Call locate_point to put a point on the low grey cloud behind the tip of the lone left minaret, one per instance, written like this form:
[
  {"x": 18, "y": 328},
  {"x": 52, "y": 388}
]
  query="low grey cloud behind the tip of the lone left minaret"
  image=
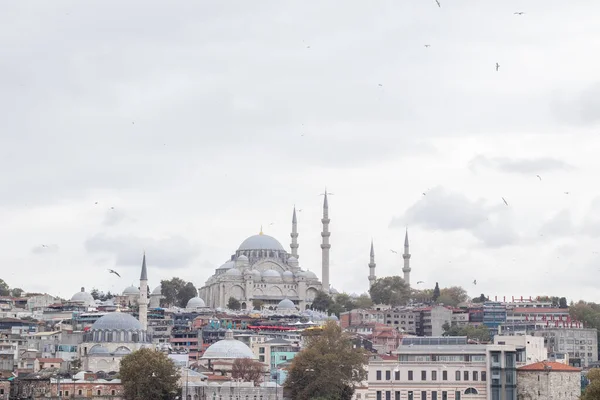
[{"x": 171, "y": 252}]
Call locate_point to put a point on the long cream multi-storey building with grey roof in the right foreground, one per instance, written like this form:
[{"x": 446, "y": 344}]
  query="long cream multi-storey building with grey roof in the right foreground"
[{"x": 444, "y": 368}]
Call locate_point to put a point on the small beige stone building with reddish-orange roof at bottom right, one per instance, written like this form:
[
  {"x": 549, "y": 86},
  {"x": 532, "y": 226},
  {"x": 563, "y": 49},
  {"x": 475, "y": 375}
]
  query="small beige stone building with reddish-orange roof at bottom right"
[{"x": 548, "y": 381}]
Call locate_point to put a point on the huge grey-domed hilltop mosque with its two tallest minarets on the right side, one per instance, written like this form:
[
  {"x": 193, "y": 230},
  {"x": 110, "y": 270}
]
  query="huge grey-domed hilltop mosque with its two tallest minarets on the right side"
[{"x": 261, "y": 269}]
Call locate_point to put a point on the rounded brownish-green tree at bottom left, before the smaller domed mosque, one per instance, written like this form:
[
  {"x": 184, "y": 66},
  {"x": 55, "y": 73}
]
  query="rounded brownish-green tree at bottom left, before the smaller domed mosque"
[{"x": 148, "y": 374}]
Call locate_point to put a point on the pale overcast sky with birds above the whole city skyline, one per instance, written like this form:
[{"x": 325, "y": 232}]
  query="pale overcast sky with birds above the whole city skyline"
[{"x": 180, "y": 128}]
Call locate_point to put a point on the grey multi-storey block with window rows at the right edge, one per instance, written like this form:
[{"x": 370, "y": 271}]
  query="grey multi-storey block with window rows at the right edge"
[{"x": 581, "y": 344}]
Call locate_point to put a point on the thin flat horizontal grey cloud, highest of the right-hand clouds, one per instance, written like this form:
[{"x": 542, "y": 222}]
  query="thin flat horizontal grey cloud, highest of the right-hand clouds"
[{"x": 530, "y": 166}]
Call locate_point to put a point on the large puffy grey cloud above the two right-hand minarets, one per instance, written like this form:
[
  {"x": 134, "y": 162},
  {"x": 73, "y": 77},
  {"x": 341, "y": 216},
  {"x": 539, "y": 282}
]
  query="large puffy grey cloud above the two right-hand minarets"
[{"x": 448, "y": 211}]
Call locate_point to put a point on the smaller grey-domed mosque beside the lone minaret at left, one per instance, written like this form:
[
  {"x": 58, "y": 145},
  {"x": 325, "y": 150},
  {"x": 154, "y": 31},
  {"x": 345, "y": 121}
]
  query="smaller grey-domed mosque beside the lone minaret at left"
[{"x": 110, "y": 338}]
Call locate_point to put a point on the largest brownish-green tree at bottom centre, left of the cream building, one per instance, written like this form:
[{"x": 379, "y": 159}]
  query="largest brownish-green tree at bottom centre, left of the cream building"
[{"x": 328, "y": 367}]
